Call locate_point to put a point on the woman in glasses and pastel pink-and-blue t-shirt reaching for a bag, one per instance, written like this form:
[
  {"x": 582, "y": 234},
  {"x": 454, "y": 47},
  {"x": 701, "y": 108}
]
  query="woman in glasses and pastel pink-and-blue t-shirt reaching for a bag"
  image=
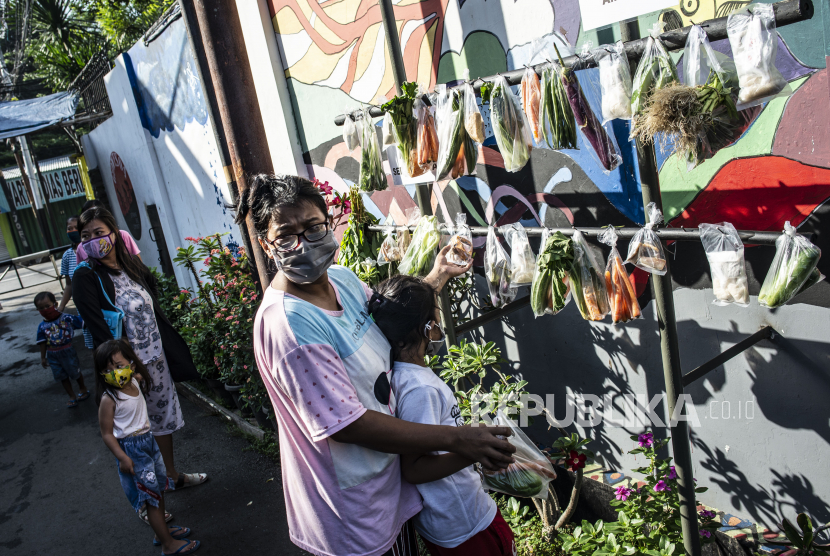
[{"x": 326, "y": 367}]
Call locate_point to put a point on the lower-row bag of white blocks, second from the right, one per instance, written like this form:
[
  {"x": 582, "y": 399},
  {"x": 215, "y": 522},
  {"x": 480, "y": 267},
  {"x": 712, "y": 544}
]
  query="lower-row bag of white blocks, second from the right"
[{"x": 725, "y": 252}]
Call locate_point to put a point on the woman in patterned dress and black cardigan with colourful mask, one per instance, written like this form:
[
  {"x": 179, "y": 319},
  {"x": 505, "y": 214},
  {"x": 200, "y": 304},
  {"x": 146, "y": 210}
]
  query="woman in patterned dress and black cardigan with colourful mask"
[{"x": 114, "y": 276}]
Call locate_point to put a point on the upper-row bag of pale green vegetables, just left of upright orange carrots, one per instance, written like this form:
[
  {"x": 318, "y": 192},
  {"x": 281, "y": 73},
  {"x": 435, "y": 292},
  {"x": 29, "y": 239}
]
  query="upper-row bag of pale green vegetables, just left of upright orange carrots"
[{"x": 510, "y": 126}]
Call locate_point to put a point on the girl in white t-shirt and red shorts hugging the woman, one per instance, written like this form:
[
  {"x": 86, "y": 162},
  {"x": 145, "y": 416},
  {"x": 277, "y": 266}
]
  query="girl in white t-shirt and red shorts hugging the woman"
[{"x": 459, "y": 518}]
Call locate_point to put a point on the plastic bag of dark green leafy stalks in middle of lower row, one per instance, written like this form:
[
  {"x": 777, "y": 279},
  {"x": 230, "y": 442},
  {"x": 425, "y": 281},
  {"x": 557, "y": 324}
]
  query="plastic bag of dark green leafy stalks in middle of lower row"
[{"x": 551, "y": 290}]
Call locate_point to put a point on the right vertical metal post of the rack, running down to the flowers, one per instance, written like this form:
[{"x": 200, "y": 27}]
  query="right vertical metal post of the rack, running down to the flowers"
[{"x": 672, "y": 373}]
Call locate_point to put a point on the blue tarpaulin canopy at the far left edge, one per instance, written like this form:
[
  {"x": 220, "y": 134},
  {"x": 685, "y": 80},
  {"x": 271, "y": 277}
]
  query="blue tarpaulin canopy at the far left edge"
[{"x": 20, "y": 117}]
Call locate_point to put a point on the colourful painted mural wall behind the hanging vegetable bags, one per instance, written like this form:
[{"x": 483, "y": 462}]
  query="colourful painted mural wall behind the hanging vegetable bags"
[{"x": 334, "y": 59}]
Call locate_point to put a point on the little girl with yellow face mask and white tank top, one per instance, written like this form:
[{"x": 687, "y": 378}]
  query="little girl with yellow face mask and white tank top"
[{"x": 120, "y": 379}]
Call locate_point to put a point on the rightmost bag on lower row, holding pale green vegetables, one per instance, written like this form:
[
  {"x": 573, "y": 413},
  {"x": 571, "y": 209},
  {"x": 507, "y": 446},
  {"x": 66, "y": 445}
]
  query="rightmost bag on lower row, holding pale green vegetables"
[{"x": 794, "y": 263}]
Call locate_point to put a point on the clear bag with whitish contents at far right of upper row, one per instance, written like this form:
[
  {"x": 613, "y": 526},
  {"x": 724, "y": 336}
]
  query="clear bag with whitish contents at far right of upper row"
[{"x": 754, "y": 44}]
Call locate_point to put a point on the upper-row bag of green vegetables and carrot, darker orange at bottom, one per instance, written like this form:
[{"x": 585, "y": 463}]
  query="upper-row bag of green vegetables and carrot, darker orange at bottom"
[{"x": 457, "y": 152}]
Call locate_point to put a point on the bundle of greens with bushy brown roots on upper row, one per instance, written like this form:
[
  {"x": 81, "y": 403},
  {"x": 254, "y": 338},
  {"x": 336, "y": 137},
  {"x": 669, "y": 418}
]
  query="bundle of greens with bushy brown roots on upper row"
[{"x": 698, "y": 121}]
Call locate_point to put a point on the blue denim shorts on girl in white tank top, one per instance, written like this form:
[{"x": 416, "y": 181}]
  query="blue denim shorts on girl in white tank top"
[{"x": 150, "y": 478}]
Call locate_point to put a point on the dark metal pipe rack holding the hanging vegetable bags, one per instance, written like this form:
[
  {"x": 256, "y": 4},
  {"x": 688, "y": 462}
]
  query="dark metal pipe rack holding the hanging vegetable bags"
[{"x": 786, "y": 13}]
